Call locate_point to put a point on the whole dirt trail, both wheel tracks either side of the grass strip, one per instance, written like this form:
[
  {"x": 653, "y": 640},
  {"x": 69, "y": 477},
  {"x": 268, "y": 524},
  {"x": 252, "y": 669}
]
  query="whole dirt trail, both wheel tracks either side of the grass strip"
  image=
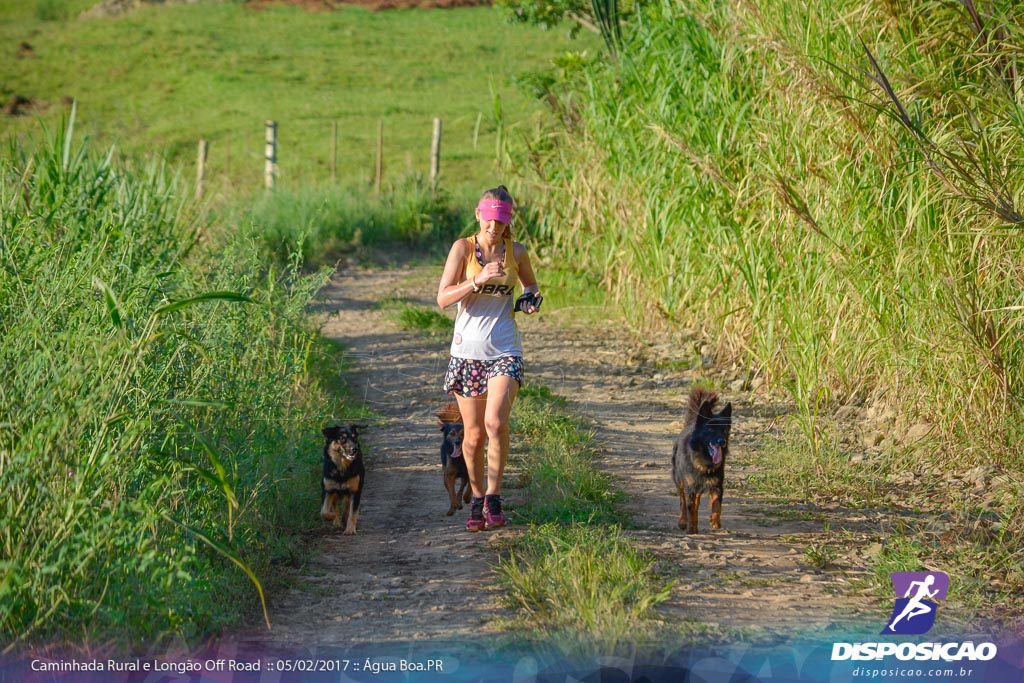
[{"x": 414, "y": 574}]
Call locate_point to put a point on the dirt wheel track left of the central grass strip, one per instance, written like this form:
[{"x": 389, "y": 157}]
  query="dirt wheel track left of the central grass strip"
[{"x": 411, "y": 573}]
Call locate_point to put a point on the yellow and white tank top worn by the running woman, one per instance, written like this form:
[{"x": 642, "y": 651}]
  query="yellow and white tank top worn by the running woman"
[{"x": 485, "y": 324}]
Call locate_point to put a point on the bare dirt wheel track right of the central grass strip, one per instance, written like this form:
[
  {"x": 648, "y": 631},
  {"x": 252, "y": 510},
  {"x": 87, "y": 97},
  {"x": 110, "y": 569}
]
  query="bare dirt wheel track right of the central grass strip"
[{"x": 752, "y": 578}]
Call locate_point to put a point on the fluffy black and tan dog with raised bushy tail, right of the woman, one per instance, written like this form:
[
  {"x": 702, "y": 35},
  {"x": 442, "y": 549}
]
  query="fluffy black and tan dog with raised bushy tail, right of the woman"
[{"x": 699, "y": 458}]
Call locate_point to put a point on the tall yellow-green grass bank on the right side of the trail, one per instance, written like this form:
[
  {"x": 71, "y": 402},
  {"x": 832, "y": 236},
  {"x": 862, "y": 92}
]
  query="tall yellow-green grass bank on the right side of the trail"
[{"x": 830, "y": 194}]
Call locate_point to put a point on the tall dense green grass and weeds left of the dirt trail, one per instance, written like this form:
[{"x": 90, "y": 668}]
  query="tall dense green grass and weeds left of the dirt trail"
[{"x": 156, "y": 411}]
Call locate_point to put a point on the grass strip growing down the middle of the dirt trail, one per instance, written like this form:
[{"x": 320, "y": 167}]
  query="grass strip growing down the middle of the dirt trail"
[{"x": 576, "y": 581}]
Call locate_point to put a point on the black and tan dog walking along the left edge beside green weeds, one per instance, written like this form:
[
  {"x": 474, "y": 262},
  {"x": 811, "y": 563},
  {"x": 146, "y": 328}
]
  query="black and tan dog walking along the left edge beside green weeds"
[{"x": 345, "y": 477}]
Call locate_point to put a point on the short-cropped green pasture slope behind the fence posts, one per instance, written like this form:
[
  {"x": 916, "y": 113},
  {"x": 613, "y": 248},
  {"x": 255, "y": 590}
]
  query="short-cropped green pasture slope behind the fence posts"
[{"x": 159, "y": 79}]
